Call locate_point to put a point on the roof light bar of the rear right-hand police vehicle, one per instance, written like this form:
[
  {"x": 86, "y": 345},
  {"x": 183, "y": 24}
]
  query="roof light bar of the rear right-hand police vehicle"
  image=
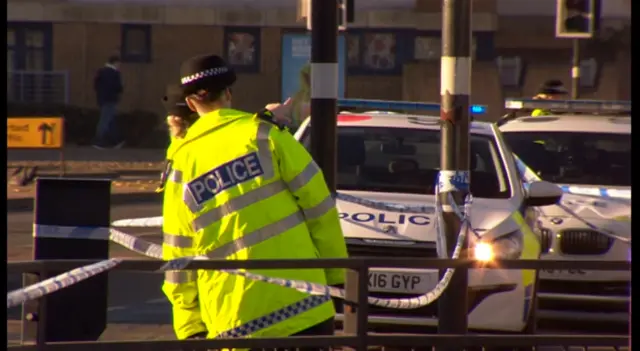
[{"x": 601, "y": 106}]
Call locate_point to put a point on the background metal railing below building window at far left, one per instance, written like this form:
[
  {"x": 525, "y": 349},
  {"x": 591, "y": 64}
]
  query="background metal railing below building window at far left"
[{"x": 38, "y": 86}]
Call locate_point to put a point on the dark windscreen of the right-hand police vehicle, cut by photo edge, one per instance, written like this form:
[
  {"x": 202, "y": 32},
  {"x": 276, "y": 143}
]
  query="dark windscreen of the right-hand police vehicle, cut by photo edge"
[{"x": 575, "y": 158}]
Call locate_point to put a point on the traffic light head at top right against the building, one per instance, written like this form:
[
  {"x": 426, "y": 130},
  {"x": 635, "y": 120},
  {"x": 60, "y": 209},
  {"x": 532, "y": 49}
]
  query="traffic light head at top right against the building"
[{"x": 577, "y": 19}]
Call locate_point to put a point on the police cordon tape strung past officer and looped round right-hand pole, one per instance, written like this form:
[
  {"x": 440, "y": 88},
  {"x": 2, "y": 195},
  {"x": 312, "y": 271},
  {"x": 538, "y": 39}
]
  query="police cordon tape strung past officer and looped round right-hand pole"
[{"x": 449, "y": 181}]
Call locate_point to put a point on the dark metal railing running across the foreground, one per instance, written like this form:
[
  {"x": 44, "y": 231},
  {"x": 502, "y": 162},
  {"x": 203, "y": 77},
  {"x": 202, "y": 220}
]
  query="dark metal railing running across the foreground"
[{"x": 355, "y": 321}]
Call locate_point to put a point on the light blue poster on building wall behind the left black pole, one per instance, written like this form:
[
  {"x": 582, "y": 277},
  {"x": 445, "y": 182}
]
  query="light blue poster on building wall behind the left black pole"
[{"x": 296, "y": 71}]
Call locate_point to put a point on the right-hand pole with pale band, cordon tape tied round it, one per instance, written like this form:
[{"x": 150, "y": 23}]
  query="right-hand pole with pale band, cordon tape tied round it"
[{"x": 455, "y": 88}]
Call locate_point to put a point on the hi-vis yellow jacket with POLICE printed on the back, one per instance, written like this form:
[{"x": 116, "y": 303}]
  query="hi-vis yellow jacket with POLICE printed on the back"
[{"x": 240, "y": 188}]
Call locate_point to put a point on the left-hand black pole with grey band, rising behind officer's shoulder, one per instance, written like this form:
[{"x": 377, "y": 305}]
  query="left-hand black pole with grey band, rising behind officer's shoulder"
[{"x": 324, "y": 86}]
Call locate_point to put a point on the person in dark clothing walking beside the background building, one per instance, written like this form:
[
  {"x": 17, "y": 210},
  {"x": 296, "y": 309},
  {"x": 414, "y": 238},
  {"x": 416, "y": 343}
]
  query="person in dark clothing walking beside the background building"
[{"x": 108, "y": 87}]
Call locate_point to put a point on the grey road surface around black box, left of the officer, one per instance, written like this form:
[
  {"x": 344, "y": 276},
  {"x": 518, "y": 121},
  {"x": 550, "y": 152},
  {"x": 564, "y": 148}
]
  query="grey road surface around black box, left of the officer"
[{"x": 139, "y": 313}]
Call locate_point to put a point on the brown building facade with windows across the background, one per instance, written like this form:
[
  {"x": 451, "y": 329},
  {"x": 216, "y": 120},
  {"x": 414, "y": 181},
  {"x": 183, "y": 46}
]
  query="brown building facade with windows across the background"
[{"x": 392, "y": 51}]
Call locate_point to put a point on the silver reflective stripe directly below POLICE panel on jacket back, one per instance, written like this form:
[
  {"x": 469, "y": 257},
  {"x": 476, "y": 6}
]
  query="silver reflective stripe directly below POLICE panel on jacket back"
[{"x": 237, "y": 204}]
